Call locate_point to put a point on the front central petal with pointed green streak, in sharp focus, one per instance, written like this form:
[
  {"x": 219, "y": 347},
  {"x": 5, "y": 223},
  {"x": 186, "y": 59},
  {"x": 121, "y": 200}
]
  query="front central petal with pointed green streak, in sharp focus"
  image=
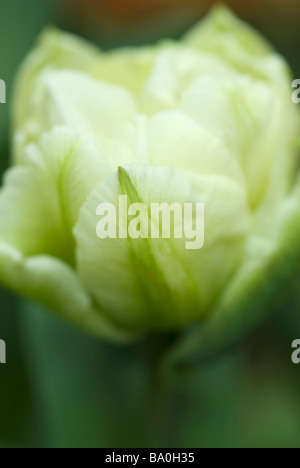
[{"x": 157, "y": 283}]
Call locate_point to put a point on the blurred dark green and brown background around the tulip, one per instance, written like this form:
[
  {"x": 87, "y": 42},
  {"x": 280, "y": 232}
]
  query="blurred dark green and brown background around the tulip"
[{"x": 61, "y": 388}]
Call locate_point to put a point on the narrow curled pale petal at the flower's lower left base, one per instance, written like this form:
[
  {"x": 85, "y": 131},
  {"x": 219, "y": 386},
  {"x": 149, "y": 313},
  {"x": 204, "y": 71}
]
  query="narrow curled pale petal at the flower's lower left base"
[{"x": 55, "y": 285}]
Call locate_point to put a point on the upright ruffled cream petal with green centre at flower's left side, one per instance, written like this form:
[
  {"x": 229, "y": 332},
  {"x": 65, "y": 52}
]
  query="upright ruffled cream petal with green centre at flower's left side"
[{"x": 41, "y": 199}]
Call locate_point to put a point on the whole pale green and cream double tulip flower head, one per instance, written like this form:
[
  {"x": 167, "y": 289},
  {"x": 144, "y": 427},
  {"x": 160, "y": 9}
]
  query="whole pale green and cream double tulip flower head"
[{"x": 205, "y": 120}]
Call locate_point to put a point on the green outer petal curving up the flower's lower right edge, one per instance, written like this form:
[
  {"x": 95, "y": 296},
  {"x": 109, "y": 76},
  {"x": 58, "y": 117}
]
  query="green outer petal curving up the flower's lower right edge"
[{"x": 260, "y": 285}]
